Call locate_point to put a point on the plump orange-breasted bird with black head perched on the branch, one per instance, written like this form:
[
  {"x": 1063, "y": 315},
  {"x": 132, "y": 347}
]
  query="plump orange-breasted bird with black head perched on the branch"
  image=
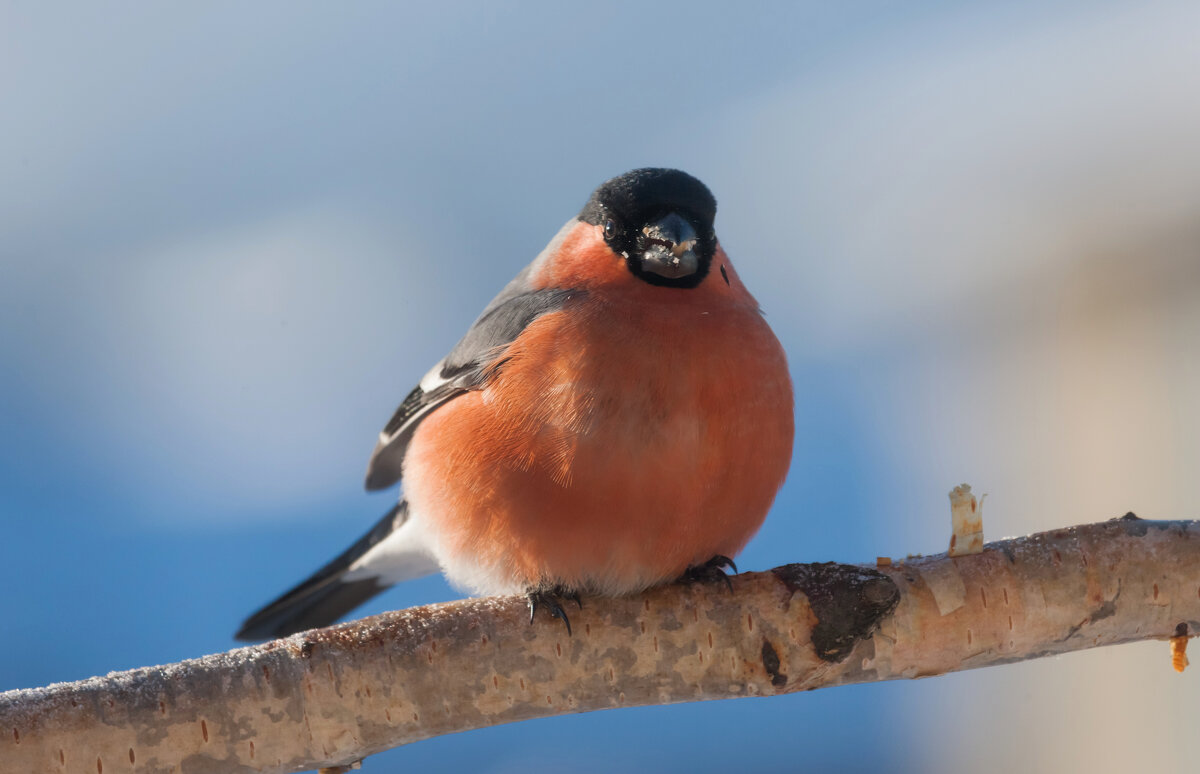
[{"x": 620, "y": 417}]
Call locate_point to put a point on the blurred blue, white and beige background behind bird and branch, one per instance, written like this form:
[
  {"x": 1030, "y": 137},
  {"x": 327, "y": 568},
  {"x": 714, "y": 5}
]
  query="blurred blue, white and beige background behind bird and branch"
[{"x": 233, "y": 236}]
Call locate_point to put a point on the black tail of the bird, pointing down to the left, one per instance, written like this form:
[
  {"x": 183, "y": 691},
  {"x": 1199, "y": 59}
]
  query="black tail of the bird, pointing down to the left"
[{"x": 323, "y": 598}]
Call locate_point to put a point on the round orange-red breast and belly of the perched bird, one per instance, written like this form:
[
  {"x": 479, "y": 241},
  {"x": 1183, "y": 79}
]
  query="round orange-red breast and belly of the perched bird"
[{"x": 619, "y": 443}]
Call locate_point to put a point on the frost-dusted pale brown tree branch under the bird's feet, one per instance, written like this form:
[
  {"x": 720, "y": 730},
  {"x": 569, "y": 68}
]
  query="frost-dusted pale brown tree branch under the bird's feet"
[{"x": 332, "y": 697}]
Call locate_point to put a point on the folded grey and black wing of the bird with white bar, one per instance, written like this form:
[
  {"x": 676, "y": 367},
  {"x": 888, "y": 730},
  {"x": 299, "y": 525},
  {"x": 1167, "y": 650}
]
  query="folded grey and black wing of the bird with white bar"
[{"x": 463, "y": 370}]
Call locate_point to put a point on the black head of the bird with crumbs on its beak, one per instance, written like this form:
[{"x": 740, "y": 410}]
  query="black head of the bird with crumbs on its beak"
[{"x": 661, "y": 221}]
